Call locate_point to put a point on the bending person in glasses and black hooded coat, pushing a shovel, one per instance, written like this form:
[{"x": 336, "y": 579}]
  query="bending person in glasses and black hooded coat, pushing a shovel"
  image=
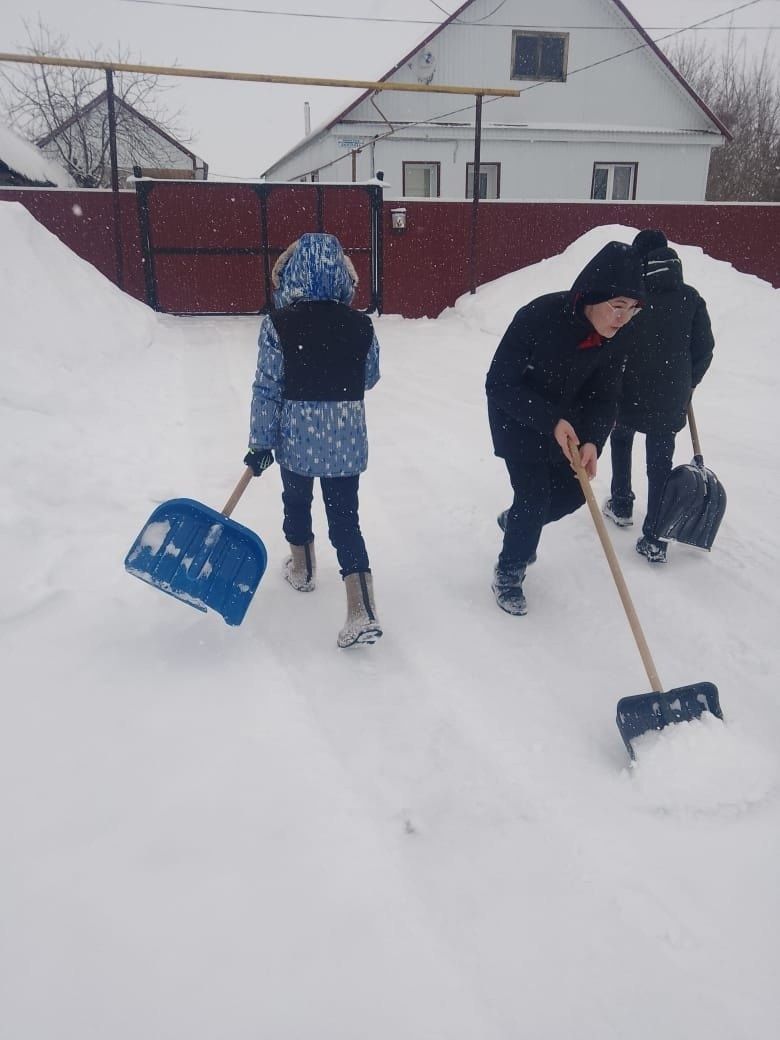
[{"x": 556, "y": 379}]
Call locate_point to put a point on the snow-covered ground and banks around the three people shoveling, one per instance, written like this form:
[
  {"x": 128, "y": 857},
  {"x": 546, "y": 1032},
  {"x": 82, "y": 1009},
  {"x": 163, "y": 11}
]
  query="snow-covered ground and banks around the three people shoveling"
[{"x": 246, "y": 834}]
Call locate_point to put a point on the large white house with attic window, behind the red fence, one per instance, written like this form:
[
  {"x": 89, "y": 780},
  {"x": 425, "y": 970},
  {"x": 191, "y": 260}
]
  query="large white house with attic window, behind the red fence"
[{"x": 603, "y": 113}]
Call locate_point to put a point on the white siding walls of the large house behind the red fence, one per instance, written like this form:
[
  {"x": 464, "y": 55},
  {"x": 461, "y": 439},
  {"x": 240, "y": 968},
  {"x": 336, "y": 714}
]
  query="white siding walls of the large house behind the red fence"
[{"x": 631, "y": 94}]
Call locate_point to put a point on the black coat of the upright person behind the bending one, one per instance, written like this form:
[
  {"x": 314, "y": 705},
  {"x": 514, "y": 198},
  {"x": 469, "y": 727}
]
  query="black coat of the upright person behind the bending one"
[{"x": 670, "y": 349}]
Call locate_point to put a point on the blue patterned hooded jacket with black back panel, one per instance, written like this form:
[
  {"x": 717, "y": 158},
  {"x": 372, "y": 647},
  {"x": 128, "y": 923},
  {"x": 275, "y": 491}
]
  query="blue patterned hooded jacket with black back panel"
[{"x": 313, "y": 438}]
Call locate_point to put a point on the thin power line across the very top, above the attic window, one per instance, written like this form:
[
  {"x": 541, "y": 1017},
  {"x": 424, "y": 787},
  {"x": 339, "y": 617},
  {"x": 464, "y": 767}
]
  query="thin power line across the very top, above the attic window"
[{"x": 458, "y": 22}]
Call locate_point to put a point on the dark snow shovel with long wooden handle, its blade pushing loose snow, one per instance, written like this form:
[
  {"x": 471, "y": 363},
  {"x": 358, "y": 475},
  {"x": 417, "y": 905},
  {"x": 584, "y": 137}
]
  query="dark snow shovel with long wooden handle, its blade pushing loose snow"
[{"x": 645, "y": 713}]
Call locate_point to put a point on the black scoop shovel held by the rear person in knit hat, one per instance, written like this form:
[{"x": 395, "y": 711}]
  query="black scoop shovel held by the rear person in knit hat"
[{"x": 694, "y": 501}]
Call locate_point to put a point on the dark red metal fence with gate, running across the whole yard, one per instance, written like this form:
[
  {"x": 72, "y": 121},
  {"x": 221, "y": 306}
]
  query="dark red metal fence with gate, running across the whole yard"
[{"x": 213, "y": 245}]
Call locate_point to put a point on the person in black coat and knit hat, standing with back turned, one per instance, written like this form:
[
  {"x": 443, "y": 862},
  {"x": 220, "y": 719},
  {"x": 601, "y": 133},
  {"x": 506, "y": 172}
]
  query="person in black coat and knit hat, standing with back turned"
[{"x": 670, "y": 351}]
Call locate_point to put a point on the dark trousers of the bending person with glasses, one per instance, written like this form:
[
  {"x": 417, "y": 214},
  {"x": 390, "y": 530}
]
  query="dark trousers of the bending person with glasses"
[{"x": 547, "y": 489}]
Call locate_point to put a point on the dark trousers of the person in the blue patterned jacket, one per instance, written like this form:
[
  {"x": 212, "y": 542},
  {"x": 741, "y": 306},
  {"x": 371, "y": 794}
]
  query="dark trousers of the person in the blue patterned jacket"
[{"x": 341, "y": 498}]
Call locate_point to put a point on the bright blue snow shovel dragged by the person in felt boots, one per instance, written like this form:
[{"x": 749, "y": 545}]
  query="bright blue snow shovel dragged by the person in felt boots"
[{"x": 200, "y": 556}]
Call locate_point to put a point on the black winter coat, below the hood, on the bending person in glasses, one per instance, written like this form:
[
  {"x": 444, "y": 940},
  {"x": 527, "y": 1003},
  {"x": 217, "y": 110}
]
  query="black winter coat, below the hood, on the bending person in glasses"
[{"x": 543, "y": 372}]
